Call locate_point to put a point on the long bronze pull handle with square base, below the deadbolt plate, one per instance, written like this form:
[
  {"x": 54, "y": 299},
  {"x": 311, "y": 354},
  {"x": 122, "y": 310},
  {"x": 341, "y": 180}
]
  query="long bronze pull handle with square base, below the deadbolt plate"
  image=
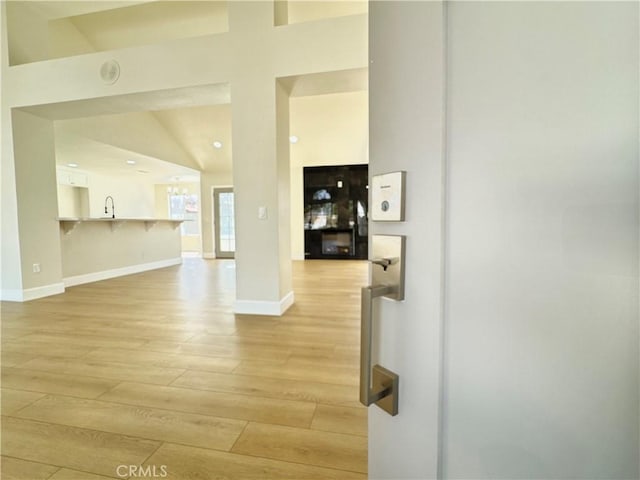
[{"x": 384, "y": 390}]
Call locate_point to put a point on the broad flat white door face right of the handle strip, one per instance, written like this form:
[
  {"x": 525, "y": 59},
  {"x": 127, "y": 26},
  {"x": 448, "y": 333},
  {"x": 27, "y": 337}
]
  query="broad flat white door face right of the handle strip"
[{"x": 542, "y": 265}]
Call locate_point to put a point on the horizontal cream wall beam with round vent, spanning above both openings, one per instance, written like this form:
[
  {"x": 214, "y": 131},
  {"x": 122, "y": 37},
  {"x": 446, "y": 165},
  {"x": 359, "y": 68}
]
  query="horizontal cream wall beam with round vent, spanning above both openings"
[{"x": 144, "y": 69}]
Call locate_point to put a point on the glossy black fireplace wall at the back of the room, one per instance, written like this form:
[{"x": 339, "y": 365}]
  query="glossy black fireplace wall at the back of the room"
[{"x": 336, "y": 212}]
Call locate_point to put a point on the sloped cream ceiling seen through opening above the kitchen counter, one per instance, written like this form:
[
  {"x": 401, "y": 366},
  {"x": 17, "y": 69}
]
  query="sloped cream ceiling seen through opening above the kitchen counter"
[{"x": 183, "y": 135}]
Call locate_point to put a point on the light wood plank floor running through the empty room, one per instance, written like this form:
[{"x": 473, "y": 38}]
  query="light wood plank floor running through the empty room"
[{"x": 155, "y": 370}]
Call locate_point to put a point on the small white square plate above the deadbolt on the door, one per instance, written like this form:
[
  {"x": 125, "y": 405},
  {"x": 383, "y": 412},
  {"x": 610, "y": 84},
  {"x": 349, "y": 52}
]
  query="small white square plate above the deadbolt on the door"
[{"x": 387, "y": 197}]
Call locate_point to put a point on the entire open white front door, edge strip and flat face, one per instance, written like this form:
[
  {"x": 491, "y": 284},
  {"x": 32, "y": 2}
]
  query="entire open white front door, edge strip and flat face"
[{"x": 517, "y": 343}]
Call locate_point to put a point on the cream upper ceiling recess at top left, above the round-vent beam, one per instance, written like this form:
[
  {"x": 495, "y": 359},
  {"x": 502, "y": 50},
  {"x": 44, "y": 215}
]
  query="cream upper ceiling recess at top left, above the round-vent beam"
[{"x": 40, "y": 32}]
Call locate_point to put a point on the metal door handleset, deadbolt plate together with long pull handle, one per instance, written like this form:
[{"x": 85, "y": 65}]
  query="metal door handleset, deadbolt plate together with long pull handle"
[{"x": 377, "y": 384}]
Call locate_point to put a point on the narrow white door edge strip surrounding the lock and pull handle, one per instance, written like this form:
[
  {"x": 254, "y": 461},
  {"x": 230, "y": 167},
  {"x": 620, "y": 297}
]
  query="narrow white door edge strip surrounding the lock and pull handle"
[{"x": 405, "y": 132}]
